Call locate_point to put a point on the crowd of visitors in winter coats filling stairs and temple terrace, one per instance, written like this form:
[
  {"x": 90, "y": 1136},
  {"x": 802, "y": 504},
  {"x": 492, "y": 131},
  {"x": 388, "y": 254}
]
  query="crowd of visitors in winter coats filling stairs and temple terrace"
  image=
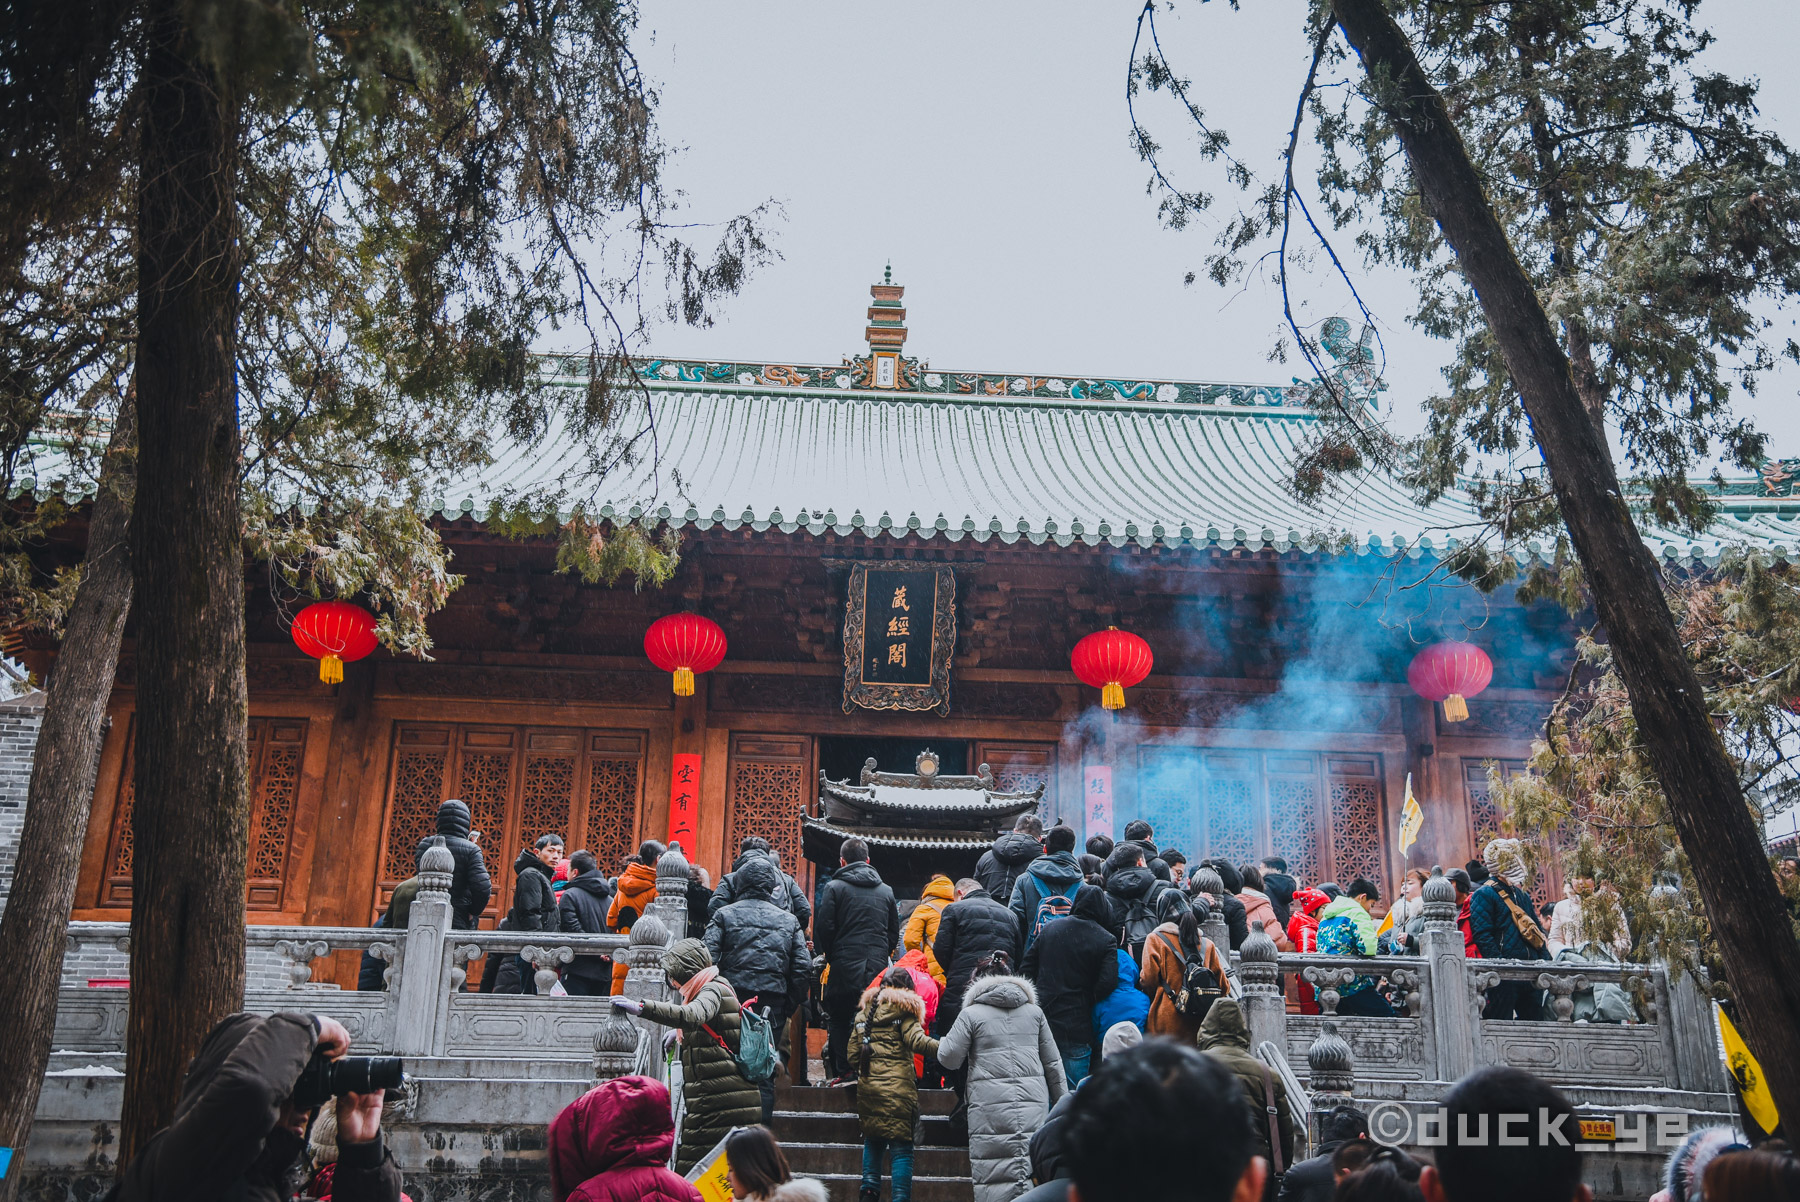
[{"x": 1072, "y": 1000}]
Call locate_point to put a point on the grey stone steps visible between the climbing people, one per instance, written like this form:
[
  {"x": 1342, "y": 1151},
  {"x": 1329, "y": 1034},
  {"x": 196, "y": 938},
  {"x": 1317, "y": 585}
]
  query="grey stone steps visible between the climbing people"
[{"x": 818, "y": 1131}]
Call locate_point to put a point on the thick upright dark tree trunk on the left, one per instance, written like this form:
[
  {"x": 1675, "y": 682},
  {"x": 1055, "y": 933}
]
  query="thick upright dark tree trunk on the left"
[{"x": 190, "y": 821}]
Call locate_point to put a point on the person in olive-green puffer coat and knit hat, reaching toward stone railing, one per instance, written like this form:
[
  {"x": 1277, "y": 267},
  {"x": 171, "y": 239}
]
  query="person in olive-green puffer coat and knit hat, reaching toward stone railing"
[{"x": 715, "y": 1093}]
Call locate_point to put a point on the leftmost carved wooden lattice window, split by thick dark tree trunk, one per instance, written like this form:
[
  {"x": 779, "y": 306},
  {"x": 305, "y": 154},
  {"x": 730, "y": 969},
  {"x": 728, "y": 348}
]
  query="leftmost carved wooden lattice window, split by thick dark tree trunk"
[{"x": 276, "y": 751}]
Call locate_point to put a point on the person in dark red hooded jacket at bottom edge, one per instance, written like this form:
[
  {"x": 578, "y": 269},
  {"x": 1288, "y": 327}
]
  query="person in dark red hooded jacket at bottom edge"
[{"x": 613, "y": 1145}]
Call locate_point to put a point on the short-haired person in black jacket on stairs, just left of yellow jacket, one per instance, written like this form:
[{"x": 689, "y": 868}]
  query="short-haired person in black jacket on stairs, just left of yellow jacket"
[{"x": 858, "y": 931}]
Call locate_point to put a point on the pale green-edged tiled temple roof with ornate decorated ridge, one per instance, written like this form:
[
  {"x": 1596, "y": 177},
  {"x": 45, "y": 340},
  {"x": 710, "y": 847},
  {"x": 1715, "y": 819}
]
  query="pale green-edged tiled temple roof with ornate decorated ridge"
[{"x": 782, "y": 447}]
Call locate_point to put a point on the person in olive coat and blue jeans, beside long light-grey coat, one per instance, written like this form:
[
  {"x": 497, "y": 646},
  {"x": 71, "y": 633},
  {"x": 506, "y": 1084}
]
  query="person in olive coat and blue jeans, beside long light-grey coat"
[{"x": 890, "y": 1032}]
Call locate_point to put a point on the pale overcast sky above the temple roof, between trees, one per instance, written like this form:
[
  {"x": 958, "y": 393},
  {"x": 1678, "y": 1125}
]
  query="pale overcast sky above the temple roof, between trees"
[{"x": 984, "y": 150}]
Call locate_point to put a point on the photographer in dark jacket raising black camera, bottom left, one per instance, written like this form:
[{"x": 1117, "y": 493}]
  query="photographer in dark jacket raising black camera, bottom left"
[{"x": 240, "y": 1126}]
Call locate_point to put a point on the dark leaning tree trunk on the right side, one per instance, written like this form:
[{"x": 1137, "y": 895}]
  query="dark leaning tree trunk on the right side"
[{"x": 1711, "y": 814}]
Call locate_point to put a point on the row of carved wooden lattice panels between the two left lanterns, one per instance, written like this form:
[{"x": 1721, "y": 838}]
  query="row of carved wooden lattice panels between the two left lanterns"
[{"x": 519, "y": 784}]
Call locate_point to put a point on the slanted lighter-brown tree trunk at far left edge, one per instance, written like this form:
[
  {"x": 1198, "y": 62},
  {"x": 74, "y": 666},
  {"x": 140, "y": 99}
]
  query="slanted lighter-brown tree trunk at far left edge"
[{"x": 60, "y": 794}]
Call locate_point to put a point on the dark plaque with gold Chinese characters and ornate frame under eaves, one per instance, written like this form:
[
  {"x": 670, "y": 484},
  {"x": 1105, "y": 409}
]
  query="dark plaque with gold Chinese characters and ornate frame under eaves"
[{"x": 899, "y": 634}]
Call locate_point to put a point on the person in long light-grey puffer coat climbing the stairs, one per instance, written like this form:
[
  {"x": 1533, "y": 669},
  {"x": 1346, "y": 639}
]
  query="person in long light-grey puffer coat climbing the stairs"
[{"x": 1014, "y": 1081}]
